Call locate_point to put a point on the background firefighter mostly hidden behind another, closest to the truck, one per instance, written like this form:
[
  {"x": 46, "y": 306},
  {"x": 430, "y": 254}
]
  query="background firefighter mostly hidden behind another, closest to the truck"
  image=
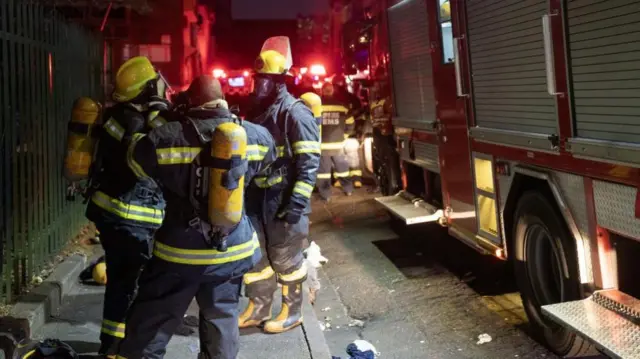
[{"x": 352, "y": 145}]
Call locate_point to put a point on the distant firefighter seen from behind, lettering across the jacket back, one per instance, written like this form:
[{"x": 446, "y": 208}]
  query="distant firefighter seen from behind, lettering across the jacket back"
[{"x": 336, "y": 127}]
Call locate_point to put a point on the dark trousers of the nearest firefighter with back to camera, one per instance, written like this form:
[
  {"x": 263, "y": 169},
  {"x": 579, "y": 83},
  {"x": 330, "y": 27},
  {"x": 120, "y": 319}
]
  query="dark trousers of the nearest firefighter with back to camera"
[{"x": 166, "y": 291}]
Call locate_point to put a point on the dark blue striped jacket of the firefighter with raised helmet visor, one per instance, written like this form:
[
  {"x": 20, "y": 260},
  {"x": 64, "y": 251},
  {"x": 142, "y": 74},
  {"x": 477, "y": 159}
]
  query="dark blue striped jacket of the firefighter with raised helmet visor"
[{"x": 297, "y": 135}]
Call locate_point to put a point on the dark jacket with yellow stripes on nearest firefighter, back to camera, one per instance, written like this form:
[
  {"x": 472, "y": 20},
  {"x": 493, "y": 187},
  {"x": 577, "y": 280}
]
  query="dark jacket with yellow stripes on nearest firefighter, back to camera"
[{"x": 171, "y": 157}]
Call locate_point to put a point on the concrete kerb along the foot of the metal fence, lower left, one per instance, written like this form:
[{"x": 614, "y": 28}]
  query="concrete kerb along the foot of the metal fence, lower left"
[{"x": 32, "y": 310}]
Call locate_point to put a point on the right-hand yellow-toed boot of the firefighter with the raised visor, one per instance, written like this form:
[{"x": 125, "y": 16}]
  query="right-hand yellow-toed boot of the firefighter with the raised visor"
[{"x": 291, "y": 313}]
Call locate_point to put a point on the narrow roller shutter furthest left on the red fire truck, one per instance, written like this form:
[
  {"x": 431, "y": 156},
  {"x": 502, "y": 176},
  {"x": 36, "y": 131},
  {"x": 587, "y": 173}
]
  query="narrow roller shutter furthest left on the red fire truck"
[{"x": 411, "y": 65}]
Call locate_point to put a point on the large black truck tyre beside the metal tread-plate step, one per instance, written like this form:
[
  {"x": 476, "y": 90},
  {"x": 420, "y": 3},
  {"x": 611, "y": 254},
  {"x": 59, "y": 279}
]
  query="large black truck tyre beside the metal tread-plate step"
[{"x": 546, "y": 270}]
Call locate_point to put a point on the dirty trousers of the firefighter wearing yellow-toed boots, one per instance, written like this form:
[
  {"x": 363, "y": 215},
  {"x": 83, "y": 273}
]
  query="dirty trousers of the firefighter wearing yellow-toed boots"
[{"x": 282, "y": 258}]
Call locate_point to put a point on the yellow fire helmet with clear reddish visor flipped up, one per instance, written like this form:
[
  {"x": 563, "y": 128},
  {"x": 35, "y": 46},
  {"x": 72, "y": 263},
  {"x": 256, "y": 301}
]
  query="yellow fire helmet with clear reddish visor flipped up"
[{"x": 275, "y": 56}]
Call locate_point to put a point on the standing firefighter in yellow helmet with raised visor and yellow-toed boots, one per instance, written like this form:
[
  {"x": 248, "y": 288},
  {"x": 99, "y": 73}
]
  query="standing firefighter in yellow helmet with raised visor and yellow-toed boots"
[{"x": 279, "y": 203}]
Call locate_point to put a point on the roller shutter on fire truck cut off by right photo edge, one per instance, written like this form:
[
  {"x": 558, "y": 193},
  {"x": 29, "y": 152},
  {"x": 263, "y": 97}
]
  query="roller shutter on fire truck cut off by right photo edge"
[{"x": 604, "y": 48}]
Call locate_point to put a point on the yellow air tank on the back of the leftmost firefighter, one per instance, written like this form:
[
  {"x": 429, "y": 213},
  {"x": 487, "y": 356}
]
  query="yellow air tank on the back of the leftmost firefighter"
[{"x": 81, "y": 140}]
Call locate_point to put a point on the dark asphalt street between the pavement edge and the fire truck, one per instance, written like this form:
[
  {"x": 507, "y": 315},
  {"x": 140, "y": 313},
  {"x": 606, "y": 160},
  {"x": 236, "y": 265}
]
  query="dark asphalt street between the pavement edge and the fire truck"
[{"x": 418, "y": 294}]
